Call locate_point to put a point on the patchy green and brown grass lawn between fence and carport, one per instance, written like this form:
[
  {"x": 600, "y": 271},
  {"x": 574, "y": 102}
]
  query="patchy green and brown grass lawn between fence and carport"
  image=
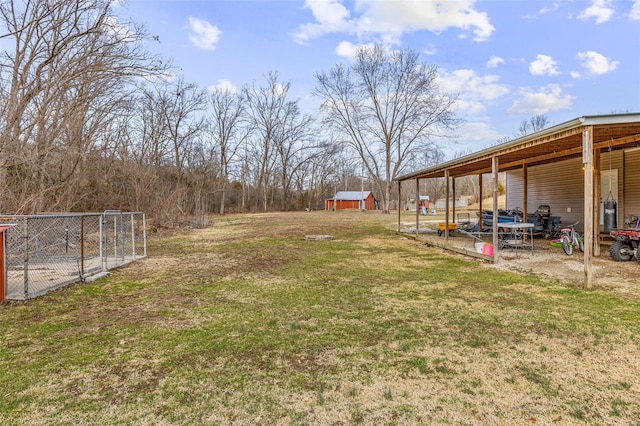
[{"x": 246, "y": 322}]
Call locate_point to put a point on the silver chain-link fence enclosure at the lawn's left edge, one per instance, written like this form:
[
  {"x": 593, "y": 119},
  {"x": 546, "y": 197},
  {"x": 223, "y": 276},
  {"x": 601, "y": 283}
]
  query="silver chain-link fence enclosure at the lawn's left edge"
[{"x": 46, "y": 252}]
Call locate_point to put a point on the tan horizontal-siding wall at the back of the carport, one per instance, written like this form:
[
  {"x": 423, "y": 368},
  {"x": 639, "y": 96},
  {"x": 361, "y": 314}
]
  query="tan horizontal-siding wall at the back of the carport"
[{"x": 561, "y": 186}]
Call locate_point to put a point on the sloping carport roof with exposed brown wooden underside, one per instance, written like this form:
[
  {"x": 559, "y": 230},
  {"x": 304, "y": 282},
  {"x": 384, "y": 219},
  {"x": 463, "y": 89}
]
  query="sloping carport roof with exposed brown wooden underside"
[{"x": 556, "y": 143}]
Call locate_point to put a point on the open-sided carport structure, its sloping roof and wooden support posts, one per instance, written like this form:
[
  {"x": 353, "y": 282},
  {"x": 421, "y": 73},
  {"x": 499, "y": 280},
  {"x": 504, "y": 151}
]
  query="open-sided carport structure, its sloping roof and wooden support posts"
[{"x": 584, "y": 139}]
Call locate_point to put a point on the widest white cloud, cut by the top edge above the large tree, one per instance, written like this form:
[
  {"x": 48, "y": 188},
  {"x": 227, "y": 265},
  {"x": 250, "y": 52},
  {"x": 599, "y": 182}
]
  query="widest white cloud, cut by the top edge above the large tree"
[{"x": 389, "y": 19}]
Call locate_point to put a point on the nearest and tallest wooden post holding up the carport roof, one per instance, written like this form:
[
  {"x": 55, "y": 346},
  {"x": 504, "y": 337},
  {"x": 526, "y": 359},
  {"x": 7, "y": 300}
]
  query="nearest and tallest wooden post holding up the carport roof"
[{"x": 587, "y": 161}]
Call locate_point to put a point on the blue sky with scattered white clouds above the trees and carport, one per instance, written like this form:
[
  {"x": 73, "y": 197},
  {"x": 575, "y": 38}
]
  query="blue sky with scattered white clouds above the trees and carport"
[{"x": 507, "y": 59}]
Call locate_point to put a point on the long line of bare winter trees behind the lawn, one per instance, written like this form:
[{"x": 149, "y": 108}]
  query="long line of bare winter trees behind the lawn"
[{"x": 90, "y": 120}]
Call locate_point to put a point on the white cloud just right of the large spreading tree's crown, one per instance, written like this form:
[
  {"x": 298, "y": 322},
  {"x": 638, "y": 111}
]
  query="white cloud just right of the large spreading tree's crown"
[{"x": 474, "y": 90}]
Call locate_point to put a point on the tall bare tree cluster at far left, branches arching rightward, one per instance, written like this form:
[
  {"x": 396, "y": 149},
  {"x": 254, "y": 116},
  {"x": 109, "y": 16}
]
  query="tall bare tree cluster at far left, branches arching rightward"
[{"x": 68, "y": 56}]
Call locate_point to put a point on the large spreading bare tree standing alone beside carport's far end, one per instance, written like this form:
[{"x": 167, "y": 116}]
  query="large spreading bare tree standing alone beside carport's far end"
[{"x": 387, "y": 105}]
